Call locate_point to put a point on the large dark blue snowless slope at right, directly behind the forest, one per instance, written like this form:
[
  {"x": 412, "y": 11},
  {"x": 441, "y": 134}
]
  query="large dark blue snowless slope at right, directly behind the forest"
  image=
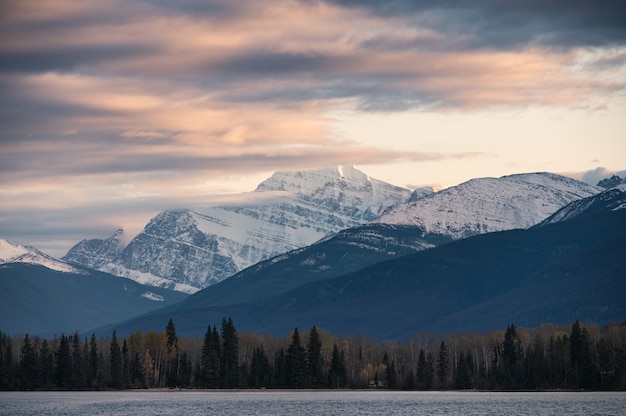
[{"x": 552, "y": 274}]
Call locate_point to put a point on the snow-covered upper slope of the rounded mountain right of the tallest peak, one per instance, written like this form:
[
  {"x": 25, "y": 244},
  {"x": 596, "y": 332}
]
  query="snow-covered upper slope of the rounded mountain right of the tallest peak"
[{"x": 488, "y": 204}]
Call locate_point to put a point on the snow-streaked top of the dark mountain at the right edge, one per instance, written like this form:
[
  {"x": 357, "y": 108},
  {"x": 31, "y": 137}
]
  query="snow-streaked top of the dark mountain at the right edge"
[{"x": 610, "y": 200}]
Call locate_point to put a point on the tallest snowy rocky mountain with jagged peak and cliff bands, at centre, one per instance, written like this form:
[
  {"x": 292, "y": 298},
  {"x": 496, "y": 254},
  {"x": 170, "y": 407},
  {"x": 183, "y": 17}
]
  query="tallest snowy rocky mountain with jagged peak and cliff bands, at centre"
[{"x": 191, "y": 249}]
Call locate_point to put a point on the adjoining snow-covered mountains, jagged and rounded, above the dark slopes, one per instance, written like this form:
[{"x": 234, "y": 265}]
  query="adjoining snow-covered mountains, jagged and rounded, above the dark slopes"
[{"x": 190, "y": 249}]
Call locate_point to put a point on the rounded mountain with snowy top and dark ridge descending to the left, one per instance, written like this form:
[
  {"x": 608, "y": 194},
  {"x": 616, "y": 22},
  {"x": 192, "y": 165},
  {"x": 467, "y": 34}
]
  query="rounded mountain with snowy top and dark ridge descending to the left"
[{"x": 359, "y": 247}]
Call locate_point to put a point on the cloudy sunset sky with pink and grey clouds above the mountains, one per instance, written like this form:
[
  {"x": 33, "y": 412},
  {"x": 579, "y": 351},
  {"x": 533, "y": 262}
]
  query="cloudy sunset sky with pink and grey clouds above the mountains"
[{"x": 113, "y": 111}]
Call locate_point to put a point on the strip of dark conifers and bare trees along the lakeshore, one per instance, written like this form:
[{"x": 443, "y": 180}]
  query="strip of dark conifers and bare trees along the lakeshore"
[{"x": 569, "y": 357}]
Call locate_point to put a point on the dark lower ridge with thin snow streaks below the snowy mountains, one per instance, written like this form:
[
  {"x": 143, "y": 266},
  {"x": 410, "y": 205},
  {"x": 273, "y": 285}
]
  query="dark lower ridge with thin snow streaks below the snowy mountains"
[{"x": 347, "y": 251}]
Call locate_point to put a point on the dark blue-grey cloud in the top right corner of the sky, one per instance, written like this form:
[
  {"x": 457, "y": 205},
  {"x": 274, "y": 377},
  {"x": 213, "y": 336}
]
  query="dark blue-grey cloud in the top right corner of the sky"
[{"x": 506, "y": 24}]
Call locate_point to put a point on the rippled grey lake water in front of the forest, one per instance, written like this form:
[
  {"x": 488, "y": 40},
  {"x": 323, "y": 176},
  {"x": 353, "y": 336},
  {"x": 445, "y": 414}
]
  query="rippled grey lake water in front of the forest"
[{"x": 195, "y": 403}]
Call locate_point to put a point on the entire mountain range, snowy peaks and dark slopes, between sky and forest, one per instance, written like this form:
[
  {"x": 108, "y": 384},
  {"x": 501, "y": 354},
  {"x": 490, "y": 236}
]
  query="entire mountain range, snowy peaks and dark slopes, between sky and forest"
[{"x": 377, "y": 259}]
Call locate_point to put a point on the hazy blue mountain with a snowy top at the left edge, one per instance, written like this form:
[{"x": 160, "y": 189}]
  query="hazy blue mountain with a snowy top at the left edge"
[{"x": 41, "y": 295}]
